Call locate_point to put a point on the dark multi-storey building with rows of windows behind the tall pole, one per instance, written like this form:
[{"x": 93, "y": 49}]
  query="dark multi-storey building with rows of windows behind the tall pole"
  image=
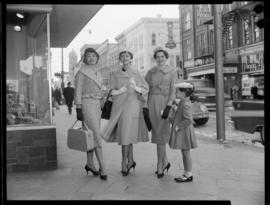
[{"x": 243, "y": 45}]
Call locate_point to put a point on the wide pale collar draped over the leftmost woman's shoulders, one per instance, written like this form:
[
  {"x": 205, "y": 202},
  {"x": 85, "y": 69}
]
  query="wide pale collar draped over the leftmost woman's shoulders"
[{"x": 91, "y": 71}]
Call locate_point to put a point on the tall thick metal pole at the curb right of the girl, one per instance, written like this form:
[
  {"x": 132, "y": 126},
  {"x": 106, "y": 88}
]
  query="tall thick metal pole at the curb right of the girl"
[{"x": 219, "y": 73}]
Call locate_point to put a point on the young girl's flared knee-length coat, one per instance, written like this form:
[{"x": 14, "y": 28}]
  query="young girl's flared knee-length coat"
[{"x": 184, "y": 138}]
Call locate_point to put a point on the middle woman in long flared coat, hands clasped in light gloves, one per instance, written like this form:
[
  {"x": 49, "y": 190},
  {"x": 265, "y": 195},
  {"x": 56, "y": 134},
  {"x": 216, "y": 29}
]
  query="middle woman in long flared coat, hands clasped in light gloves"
[{"x": 126, "y": 125}]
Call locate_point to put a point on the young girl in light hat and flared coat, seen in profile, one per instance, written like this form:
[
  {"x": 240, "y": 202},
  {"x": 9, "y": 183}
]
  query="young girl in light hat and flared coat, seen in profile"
[{"x": 182, "y": 131}]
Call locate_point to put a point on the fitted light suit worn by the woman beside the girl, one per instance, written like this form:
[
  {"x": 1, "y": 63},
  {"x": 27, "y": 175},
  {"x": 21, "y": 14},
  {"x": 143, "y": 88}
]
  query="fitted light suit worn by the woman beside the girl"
[{"x": 161, "y": 90}]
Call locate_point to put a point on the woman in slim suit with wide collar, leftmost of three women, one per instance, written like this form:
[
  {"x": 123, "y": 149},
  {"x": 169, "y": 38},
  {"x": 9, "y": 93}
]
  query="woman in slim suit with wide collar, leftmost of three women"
[{"x": 88, "y": 84}]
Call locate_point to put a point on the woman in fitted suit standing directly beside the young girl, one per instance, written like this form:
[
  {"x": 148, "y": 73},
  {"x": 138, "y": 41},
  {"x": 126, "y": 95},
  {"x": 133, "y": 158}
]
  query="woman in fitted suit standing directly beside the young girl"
[{"x": 161, "y": 79}]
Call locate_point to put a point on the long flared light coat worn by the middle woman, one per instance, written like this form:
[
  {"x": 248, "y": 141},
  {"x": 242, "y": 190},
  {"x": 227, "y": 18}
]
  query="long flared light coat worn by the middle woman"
[{"x": 126, "y": 125}]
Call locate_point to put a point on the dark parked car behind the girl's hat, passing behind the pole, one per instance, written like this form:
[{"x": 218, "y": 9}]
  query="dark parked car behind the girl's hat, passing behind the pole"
[{"x": 206, "y": 93}]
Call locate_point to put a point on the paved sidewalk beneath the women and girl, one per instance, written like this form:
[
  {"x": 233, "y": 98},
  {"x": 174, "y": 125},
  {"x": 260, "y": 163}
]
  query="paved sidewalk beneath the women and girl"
[{"x": 232, "y": 171}]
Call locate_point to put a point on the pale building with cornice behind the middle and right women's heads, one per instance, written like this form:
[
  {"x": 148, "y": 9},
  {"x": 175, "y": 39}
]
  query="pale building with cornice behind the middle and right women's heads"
[{"x": 144, "y": 36}]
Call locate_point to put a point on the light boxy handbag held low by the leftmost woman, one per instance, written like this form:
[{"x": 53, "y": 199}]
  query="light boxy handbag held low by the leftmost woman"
[{"x": 80, "y": 139}]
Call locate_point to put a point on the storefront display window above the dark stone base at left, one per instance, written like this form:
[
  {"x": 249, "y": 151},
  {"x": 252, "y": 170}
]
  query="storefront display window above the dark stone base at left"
[{"x": 27, "y": 85}]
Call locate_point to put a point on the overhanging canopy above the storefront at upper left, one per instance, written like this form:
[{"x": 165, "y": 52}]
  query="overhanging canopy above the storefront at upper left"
[{"x": 66, "y": 21}]
